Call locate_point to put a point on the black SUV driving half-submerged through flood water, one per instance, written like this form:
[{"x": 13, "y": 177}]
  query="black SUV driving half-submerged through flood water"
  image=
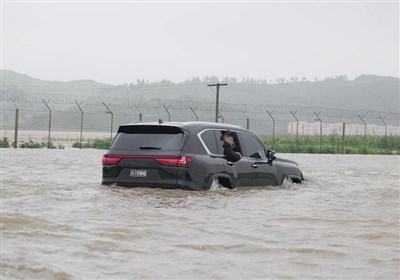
[{"x": 190, "y": 156}]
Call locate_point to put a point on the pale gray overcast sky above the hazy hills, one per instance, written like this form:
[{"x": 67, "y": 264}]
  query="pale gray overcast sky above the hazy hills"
[{"x": 121, "y": 42}]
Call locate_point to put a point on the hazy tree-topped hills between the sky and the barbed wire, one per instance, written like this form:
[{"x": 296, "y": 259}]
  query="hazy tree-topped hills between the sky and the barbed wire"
[{"x": 366, "y": 92}]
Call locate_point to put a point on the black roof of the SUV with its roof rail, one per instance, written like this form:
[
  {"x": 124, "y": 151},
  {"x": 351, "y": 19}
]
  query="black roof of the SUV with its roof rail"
[{"x": 191, "y": 125}]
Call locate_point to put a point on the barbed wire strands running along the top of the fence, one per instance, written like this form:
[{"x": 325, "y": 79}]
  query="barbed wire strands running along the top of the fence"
[{"x": 95, "y": 103}]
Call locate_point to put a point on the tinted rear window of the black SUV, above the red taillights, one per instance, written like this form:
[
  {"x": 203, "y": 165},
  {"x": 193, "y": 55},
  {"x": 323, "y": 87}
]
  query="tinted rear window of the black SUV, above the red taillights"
[{"x": 141, "y": 138}]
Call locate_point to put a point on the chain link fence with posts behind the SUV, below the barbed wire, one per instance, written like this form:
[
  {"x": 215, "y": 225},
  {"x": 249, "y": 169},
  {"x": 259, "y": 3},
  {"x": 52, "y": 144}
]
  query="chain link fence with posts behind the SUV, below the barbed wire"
[{"x": 70, "y": 118}]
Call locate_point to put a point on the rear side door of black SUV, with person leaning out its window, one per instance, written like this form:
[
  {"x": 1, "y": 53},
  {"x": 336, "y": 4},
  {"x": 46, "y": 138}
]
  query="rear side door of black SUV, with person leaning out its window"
[{"x": 240, "y": 170}]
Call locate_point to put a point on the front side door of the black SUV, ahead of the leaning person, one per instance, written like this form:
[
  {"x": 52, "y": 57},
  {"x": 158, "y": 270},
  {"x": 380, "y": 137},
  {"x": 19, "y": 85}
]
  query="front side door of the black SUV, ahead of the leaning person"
[{"x": 263, "y": 172}]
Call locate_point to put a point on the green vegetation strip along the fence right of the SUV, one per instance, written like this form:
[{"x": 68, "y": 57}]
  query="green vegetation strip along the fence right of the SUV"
[{"x": 333, "y": 144}]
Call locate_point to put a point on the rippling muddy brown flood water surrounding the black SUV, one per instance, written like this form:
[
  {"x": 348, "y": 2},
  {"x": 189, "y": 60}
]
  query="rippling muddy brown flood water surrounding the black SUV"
[{"x": 59, "y": 222}]
